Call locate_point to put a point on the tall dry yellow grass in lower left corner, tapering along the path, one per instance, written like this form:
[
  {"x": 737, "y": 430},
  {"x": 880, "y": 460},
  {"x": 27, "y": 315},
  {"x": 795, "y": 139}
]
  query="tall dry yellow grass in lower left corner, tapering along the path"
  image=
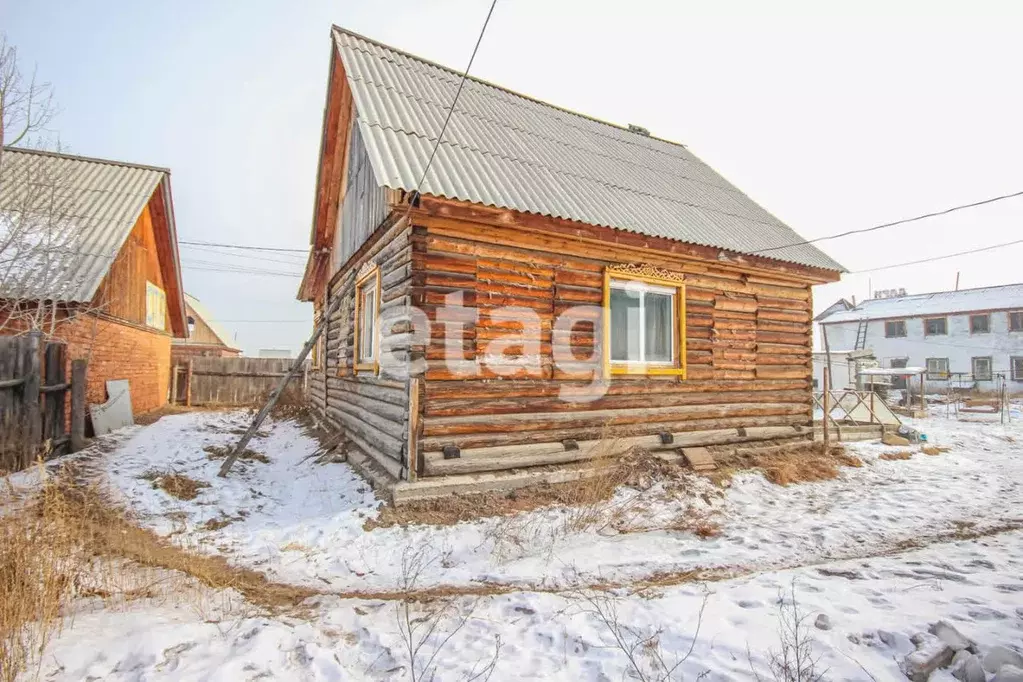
[{"x": 66, "y": 541}]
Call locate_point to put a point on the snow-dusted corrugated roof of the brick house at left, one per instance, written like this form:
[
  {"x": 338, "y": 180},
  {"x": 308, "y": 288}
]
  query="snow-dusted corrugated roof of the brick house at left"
[{"x": 64, "y": 220}]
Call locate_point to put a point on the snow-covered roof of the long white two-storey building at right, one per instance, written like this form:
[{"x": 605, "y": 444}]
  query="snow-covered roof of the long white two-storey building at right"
[{"x": 1007, "y": 297}]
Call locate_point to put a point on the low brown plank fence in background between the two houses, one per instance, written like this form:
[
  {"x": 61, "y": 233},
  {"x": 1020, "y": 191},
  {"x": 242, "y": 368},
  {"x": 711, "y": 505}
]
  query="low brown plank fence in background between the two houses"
[{"x": 234, "y": 381}]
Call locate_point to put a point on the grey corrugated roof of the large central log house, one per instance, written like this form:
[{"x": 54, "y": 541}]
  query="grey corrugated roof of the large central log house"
[{"x": 508, "y": 151}]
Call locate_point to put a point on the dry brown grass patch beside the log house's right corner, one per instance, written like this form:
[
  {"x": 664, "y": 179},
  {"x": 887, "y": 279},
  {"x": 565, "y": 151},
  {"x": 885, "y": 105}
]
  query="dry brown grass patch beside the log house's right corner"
[{"x": 789, "y": 465}]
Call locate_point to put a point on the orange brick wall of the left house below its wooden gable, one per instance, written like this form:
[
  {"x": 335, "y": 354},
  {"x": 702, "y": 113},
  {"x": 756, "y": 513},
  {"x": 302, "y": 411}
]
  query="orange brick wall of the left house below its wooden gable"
[{"x": 118, "y": 351}]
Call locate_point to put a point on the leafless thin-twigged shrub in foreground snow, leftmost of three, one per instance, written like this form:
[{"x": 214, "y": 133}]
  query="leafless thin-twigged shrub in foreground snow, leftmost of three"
[{"x": 426, "y": 626}]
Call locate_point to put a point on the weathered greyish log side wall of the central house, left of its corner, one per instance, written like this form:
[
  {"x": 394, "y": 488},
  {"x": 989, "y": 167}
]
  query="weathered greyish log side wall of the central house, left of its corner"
[{"x": 371, "y": 410}]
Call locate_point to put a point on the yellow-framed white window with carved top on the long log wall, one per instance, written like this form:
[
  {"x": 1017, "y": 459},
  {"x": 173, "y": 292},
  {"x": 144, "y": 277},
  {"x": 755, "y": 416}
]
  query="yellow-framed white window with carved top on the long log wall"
[{"x": 644, "y": 326}]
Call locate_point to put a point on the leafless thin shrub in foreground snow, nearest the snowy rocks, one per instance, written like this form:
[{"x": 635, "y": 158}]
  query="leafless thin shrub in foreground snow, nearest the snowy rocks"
[{"x": 795, "y": 660}]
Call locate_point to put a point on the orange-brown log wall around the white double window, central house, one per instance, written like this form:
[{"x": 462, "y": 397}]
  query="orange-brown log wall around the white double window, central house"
[{"x": 748, "y": 348}]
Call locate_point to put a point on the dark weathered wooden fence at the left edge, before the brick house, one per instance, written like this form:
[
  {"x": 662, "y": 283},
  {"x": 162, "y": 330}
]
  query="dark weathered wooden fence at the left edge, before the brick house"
[{"x": 34, "y": 389}]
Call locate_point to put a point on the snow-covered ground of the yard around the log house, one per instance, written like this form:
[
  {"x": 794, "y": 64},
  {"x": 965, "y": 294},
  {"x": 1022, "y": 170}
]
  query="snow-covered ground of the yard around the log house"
[{"x": 876, "y": 551}]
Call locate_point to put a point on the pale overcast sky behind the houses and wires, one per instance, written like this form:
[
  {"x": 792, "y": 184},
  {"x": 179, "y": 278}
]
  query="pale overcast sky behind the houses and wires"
[{"x": 833, "y": 116}]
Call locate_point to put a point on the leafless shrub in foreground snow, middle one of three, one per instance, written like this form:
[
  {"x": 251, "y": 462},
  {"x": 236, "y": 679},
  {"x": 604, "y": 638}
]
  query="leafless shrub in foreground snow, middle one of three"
[{"x": 644, "y": 653}]
